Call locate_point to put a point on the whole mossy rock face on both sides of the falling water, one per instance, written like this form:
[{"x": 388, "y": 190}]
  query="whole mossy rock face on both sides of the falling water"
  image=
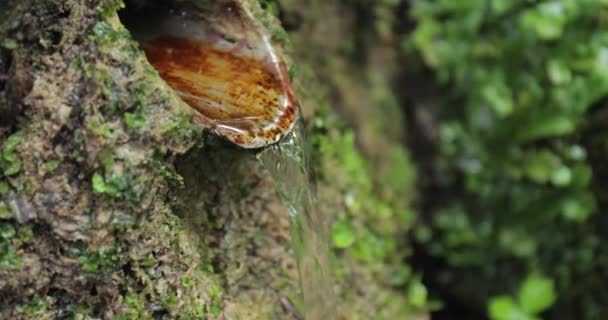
[{"x": 114, "y": 204}]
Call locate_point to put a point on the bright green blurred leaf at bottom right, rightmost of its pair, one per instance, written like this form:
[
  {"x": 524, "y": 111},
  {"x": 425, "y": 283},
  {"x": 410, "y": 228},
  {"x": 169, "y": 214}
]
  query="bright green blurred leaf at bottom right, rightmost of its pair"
[{"x": 536, "y": 294}]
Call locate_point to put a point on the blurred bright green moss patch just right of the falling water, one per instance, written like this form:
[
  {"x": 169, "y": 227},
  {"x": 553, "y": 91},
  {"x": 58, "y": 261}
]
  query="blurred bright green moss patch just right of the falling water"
[{"x": 366, "y": 234}]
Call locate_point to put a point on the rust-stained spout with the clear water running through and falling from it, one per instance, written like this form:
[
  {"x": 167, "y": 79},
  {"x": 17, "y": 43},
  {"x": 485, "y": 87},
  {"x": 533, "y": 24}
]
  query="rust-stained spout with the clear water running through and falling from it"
[{"x": 218, "y": 41}]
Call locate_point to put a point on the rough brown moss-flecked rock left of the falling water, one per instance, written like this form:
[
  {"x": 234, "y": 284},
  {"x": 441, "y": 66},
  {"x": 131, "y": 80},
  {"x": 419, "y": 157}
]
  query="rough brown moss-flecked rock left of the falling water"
[{"x": 94, "y": 218}]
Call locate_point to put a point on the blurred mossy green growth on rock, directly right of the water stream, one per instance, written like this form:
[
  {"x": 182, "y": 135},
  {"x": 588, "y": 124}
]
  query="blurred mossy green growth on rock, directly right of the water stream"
[{"x": 365, "y": 236}]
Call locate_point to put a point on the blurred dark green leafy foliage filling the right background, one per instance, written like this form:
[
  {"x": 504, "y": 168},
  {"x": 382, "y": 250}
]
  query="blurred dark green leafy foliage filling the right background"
[{"x": 525, "y": 80}]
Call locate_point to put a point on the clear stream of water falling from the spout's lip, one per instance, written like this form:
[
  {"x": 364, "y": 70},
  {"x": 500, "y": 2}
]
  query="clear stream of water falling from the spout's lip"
[{"x": 289, "y": 164}]
